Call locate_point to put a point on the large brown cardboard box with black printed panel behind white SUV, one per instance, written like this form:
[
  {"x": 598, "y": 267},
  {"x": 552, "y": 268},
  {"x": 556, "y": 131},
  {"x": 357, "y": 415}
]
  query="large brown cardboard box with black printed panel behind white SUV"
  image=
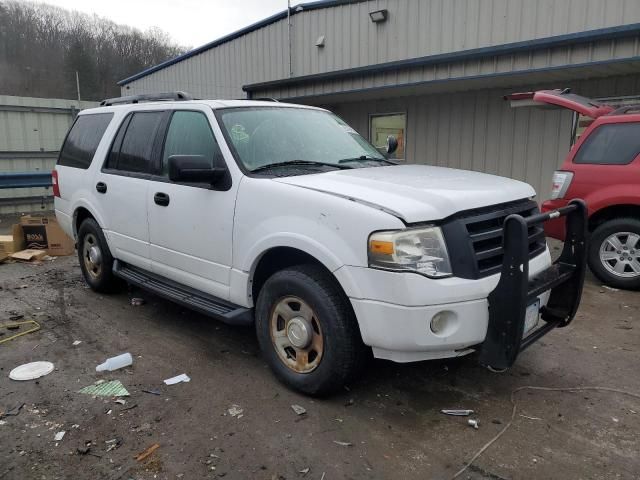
[{"x": 42, "y": 233}]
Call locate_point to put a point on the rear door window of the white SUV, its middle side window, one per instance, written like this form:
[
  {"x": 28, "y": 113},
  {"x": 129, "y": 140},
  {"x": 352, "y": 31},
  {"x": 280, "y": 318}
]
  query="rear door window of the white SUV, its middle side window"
[{"x": 135, "y": 152}]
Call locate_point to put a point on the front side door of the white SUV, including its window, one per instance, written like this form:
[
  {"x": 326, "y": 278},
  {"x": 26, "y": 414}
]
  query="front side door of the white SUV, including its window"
[{"x": 191, "y": 225}]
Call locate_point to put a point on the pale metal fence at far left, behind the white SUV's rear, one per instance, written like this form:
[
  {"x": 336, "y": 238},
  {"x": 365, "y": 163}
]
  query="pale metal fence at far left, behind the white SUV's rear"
[{"x": 31, "y": 133}]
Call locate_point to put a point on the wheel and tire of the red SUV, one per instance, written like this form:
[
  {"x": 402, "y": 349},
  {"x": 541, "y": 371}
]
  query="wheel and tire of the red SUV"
[{"x": 614, "y": 253}]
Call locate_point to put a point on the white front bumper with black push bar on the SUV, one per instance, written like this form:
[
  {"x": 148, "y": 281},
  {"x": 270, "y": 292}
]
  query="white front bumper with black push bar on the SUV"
[{"x": 394, "y": 310}]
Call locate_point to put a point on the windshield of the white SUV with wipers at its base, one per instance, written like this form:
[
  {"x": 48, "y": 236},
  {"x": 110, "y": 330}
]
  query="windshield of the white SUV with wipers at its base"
[{"x": 264, "y": 136}]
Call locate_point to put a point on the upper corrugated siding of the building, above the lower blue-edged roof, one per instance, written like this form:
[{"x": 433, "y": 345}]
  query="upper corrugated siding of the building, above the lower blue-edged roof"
[{"x": 415, "y": 28}]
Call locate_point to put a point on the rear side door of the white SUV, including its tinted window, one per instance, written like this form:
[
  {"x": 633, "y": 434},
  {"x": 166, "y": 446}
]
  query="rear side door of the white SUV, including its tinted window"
[{"x": 123, "y": 182}]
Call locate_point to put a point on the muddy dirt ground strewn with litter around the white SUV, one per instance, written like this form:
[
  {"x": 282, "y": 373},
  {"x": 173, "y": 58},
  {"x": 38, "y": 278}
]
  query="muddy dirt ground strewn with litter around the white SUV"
[{"x": 390, "y": 421}]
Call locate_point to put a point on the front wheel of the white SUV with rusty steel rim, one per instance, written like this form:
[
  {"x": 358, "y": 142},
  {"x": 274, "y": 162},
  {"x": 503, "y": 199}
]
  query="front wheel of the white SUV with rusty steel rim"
[{"x": 334, "y": 354}]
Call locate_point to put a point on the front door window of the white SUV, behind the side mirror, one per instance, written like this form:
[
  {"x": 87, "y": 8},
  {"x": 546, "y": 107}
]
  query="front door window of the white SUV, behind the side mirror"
[{"x": 189, "y": 133}]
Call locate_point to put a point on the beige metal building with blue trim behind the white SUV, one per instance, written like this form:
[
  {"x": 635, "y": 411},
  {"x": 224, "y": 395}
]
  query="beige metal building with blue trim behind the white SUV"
[{"x": 433, "y": 72}]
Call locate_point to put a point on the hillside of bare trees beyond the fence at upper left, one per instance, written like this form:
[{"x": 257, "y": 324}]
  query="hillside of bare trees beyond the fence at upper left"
[{"x": 42, "y": 47}]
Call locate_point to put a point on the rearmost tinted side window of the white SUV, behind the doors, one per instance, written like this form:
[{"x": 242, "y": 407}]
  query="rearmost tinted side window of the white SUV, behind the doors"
[{"x": 82, "y": 141}]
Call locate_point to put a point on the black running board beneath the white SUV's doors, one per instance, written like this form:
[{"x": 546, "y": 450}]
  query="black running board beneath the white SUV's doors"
[{"x": 183, "y": 295}]
